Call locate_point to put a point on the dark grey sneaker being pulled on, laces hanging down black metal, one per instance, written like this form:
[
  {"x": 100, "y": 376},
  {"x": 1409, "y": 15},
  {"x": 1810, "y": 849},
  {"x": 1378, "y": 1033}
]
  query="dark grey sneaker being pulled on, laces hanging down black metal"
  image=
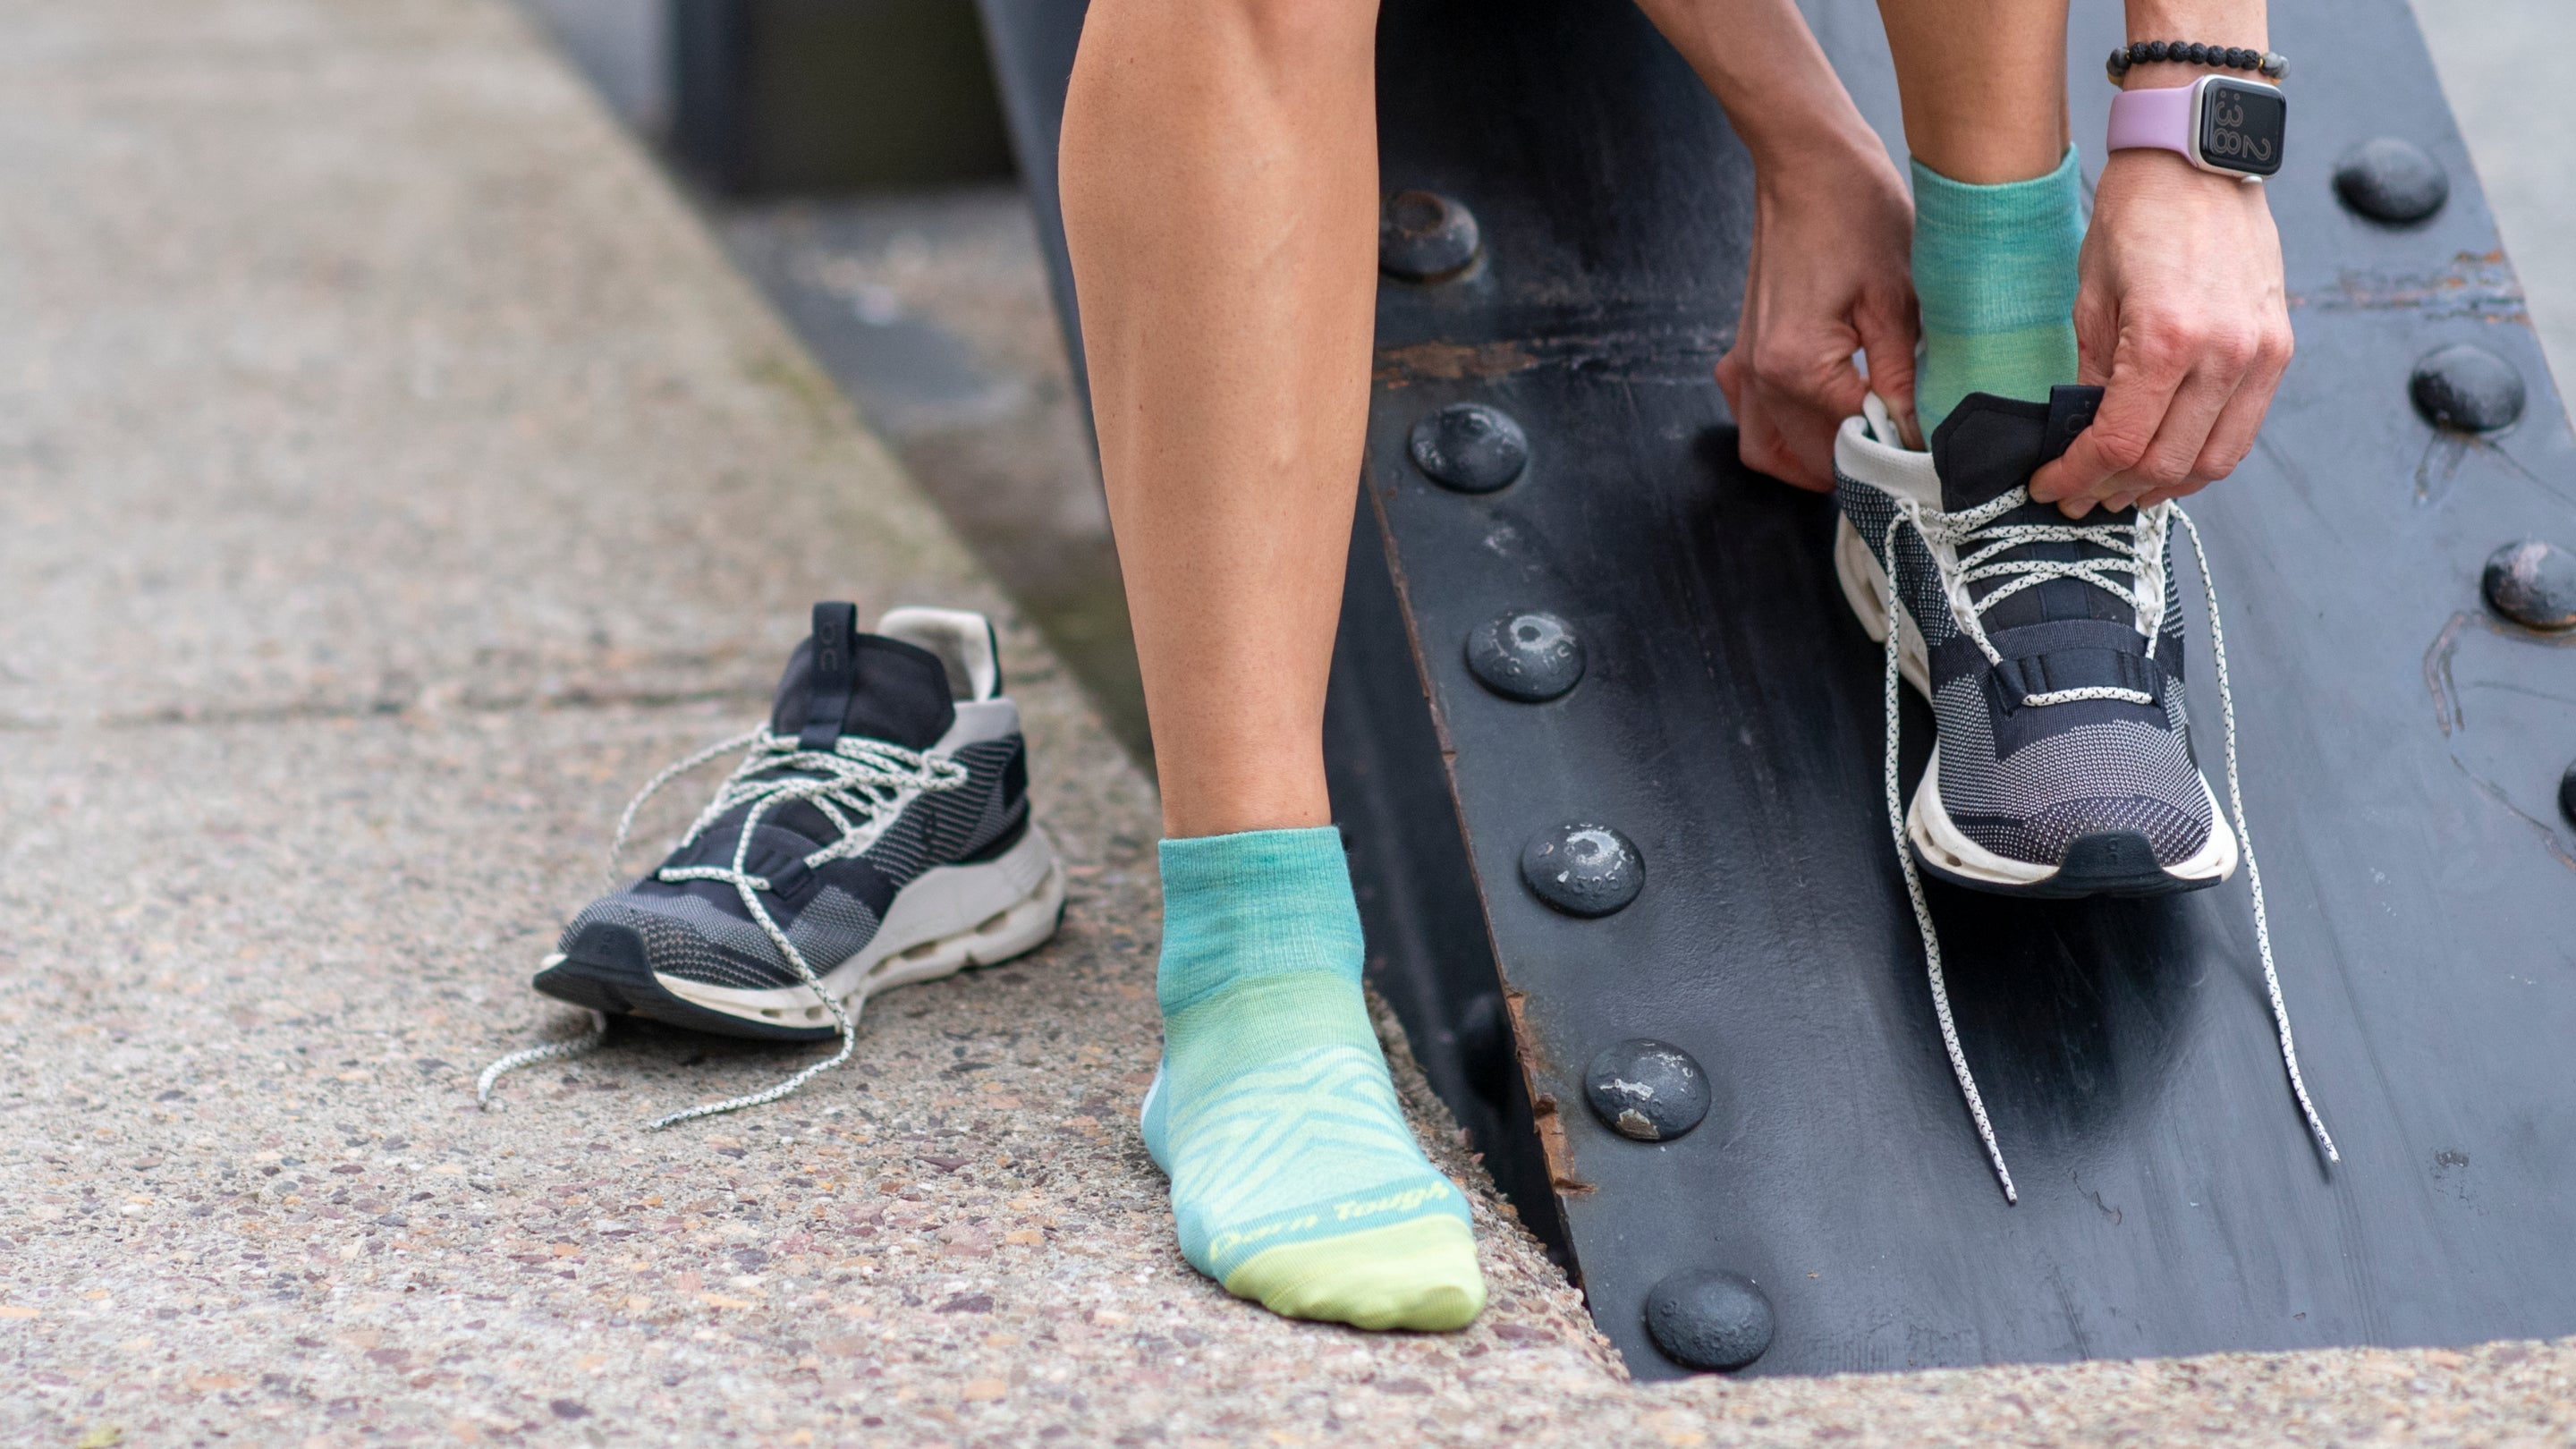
[{"x": 2052, "y": 654}]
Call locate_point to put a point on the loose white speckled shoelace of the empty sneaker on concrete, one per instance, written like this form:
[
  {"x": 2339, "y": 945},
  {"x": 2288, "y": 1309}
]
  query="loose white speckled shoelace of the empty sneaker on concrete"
[{"x": 854, "y": 785}]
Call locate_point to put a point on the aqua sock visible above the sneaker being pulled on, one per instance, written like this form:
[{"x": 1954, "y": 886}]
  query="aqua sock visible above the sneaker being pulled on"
[{"x": 1995, "y": 269}]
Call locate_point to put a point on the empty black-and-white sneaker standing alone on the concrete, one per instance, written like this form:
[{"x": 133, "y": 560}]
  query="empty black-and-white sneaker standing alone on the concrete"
[{"x": 875, "y": 834}]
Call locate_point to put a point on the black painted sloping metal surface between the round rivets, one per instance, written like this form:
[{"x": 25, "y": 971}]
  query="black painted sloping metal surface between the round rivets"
[{"x": 2405, "y": 752}]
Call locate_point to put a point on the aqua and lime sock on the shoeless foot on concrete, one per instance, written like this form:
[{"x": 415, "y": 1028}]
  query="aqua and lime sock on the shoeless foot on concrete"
[{"x": 1294, "y": 1174}]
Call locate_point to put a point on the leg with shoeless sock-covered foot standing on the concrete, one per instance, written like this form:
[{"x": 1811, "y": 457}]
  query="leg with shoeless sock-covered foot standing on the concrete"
[{"x": 1220, "y": 197}]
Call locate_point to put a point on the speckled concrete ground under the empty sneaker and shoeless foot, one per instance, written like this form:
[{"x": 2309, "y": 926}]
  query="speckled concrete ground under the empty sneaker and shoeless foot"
[{"x": 393, "y": 473}]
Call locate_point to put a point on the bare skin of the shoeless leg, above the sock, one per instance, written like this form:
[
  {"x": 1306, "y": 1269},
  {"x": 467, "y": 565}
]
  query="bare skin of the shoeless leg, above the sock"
[{"x": 1220, "y": 200}]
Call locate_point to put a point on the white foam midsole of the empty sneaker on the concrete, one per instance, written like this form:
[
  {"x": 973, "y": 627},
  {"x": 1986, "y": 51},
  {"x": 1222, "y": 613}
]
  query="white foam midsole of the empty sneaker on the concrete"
[{"x": 942, "y": 924}]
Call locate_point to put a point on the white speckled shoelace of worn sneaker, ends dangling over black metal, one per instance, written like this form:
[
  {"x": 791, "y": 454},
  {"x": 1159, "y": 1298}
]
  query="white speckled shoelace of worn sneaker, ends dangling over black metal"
[{"x": 2142, "y": 558}]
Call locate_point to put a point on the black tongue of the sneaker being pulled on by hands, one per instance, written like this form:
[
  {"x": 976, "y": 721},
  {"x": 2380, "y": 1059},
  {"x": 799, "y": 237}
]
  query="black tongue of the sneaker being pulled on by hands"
[{"x": 1993, "y": 445}]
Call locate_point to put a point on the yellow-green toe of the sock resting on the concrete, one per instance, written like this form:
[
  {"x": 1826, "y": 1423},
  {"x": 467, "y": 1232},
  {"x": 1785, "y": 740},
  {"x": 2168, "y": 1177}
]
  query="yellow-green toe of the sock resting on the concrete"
[{"x": 1408, "y": 1275}]
